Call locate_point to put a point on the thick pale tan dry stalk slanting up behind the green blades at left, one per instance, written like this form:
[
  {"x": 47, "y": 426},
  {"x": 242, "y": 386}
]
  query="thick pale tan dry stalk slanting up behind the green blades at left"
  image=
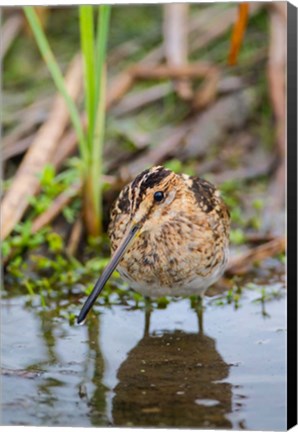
[{"x": 26, "y": 182}]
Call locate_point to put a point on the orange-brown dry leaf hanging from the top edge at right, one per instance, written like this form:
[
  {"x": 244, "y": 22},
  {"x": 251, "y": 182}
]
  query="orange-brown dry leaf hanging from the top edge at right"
[{"x": 238, "y": 32}]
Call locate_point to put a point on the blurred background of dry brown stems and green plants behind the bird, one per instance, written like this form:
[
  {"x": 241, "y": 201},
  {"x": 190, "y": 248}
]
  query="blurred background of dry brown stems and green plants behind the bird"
[{"x": 215, "y": 120}]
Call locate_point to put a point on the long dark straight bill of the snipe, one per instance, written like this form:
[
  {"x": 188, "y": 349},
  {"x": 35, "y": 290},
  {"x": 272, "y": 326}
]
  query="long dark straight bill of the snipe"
[{"x": 107, "y": 273}]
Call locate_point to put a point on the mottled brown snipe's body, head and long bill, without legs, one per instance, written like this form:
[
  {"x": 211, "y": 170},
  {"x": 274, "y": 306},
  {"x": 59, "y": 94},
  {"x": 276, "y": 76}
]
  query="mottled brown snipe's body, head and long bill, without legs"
[{"x": 169, "y": 235}]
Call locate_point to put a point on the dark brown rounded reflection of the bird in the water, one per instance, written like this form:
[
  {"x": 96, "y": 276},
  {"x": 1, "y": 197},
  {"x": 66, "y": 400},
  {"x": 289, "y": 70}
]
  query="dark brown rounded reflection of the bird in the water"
[{"x": 173, "y": 379}]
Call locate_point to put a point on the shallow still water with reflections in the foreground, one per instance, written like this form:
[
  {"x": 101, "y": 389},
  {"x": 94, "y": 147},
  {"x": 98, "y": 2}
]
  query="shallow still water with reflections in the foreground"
[{"x": 108, "y": 372}]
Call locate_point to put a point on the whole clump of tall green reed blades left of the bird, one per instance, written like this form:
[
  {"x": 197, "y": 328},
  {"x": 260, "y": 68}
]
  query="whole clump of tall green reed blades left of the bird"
[{"x": 93, "y": 35}]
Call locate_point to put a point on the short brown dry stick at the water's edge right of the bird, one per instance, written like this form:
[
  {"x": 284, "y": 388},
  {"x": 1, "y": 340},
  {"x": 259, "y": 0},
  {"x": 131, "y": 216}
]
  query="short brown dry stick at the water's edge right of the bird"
[{"x": 242, "y": 263}]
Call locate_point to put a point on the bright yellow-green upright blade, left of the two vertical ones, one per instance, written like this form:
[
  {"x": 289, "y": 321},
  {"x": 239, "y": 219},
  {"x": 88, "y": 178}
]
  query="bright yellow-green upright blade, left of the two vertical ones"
[{"x": 87, "y": 44}]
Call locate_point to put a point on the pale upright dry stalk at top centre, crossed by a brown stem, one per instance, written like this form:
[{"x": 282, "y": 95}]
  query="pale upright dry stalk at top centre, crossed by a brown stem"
[{"x": 175, "y": 25}]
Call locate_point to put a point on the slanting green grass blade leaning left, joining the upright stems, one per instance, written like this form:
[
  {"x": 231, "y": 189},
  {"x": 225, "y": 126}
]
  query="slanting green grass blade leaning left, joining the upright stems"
[{"x": 57, "y": 76}]
